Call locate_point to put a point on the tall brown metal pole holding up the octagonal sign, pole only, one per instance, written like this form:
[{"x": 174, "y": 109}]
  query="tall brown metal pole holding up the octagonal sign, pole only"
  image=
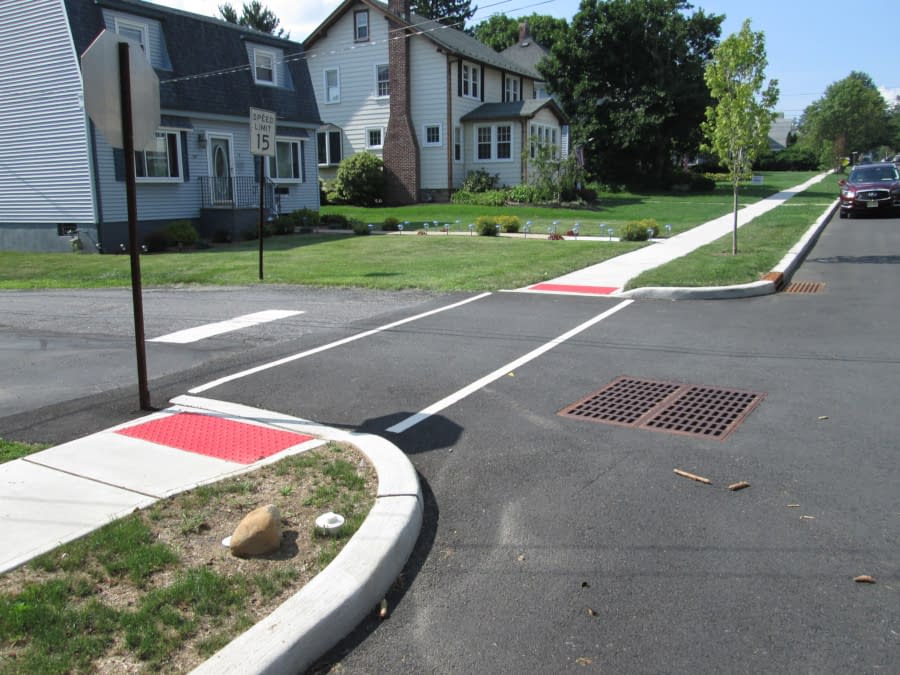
[{"x": 134, "y": 251}]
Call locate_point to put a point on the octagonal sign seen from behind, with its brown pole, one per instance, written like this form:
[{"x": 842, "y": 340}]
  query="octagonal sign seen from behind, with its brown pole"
[{"x": 121, "y": 96}]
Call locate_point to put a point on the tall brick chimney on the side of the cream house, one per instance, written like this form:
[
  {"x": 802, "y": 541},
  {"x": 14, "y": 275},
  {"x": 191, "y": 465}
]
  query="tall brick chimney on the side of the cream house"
[{"x": 401, "y": 149}]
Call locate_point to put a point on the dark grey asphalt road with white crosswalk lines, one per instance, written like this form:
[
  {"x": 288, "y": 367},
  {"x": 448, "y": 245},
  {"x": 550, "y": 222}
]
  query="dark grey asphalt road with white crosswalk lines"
[{"x": 555, "y": 545}]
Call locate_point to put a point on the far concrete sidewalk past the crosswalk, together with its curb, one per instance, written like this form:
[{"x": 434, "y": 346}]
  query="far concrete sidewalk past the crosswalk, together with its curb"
[{"x": 611, "y": 276}]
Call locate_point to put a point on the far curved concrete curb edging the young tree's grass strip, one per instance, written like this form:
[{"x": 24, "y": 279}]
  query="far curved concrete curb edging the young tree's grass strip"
[{"x": 777, "y": 278}]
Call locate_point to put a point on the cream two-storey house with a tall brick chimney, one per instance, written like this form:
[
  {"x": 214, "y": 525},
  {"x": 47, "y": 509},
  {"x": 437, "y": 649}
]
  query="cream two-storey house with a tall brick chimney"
[{"x": 432, "y": 101}]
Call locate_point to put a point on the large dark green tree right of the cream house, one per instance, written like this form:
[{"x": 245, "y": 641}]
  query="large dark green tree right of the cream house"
[{"x": 630, "y": 74}]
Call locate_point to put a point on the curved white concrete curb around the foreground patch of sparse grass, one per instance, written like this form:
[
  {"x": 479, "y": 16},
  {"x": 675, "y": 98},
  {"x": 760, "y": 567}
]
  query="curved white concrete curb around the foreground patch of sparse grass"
[{"x": 337, "y": 599}]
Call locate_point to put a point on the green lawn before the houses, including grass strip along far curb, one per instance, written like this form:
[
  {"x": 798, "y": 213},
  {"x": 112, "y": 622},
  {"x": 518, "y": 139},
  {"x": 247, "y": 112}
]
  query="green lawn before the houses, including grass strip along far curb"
[{"x": 434, "y": 262}]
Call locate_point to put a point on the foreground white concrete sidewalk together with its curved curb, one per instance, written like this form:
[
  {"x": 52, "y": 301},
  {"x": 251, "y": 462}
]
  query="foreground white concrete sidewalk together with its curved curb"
[{"x": 65, "y": 492}]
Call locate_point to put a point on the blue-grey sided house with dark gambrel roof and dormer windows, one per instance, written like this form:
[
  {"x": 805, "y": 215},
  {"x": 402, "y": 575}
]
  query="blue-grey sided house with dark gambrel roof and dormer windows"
[{"x": 61, "y": 181}]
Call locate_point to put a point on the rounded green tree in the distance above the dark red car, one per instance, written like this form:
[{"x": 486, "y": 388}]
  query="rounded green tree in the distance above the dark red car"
[{"x": 852, "y": 116}]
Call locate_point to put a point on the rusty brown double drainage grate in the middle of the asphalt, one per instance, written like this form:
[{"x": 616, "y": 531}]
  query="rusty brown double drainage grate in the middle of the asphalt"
[{"x": 707, "y": 412}]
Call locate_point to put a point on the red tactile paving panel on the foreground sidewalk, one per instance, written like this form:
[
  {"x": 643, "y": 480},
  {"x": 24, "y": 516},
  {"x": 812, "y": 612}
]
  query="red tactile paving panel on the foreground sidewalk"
[{"x": 215, "y": 437}]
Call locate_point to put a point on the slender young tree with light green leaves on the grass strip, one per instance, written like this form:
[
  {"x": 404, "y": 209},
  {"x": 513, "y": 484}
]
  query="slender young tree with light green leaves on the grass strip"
[{"x": 737, "y": 125}]
